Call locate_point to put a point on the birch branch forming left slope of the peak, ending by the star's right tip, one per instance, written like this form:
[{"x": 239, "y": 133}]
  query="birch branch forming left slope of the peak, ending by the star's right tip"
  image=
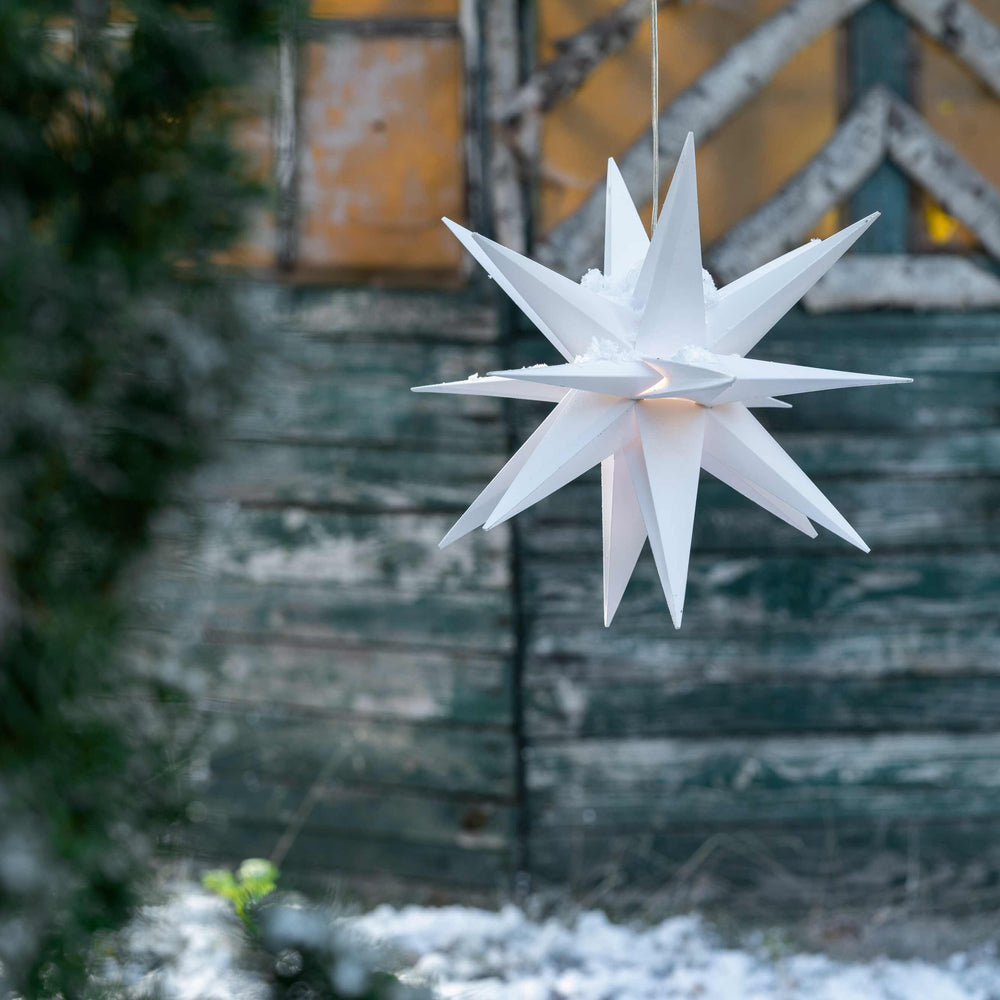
[{"x": 853, "y": 152}]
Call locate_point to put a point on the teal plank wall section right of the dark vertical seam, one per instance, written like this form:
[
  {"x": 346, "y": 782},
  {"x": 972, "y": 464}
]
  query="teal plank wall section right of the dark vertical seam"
[{"x": 823, "y": 729}]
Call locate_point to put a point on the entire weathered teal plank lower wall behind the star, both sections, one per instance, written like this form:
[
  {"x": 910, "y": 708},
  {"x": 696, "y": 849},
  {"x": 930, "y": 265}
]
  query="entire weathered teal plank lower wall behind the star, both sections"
[{"x": 823, "y": 727}]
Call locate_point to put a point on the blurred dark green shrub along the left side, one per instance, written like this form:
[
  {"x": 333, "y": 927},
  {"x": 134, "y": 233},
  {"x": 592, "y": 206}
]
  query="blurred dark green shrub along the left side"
[{"x": 120, "y": 353}]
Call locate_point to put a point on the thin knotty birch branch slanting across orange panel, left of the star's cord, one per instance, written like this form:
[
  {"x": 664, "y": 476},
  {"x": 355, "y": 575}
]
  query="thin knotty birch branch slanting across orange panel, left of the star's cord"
[{"x": 579, "y": 55}]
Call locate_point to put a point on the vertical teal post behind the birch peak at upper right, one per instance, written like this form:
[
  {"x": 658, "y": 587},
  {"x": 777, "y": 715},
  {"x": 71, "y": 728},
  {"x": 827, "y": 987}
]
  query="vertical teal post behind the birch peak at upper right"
[{"x": 878, "y": 52}]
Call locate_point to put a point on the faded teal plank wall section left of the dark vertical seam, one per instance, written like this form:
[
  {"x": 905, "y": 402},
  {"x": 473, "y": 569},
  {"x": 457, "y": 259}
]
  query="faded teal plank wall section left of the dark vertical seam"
[{"x": 358, "y": 679}]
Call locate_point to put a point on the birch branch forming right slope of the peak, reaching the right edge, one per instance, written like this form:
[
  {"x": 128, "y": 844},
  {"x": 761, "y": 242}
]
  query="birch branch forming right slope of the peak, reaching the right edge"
[{"x": 932, "y": 162}]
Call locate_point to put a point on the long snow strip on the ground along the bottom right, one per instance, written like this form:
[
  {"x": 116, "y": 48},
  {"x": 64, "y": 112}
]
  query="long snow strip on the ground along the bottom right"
[{"x": 481, "y": 955}]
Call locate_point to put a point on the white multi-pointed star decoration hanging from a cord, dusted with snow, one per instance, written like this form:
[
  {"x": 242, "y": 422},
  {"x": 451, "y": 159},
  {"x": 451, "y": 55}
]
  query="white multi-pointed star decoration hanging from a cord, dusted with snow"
[{"x": 656, "y": 385}]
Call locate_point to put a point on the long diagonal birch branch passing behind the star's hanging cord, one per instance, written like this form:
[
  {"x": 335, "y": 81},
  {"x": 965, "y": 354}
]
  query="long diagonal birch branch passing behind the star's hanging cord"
[{"x": 575, "y": 244}]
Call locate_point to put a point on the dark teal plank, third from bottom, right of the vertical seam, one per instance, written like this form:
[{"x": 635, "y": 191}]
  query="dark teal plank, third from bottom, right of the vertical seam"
[{"x": 560, "y": 708}]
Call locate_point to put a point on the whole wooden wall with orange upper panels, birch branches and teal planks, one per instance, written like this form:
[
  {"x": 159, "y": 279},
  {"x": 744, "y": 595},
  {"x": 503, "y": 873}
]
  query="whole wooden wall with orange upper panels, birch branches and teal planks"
[{"x": 825, "y": 730}]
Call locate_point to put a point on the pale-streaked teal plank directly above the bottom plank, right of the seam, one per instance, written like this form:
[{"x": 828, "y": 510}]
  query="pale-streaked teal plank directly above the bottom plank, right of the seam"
[{"x": 644, "y": 783}]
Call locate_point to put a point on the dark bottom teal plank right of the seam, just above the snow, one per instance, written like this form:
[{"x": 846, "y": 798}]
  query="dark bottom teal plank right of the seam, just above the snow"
[{"x": 945, "y": 866}]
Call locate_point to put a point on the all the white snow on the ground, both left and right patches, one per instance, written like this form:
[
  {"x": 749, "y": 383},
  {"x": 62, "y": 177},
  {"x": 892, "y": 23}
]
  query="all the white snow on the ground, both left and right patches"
[{"x": 188, "y": 948}]
